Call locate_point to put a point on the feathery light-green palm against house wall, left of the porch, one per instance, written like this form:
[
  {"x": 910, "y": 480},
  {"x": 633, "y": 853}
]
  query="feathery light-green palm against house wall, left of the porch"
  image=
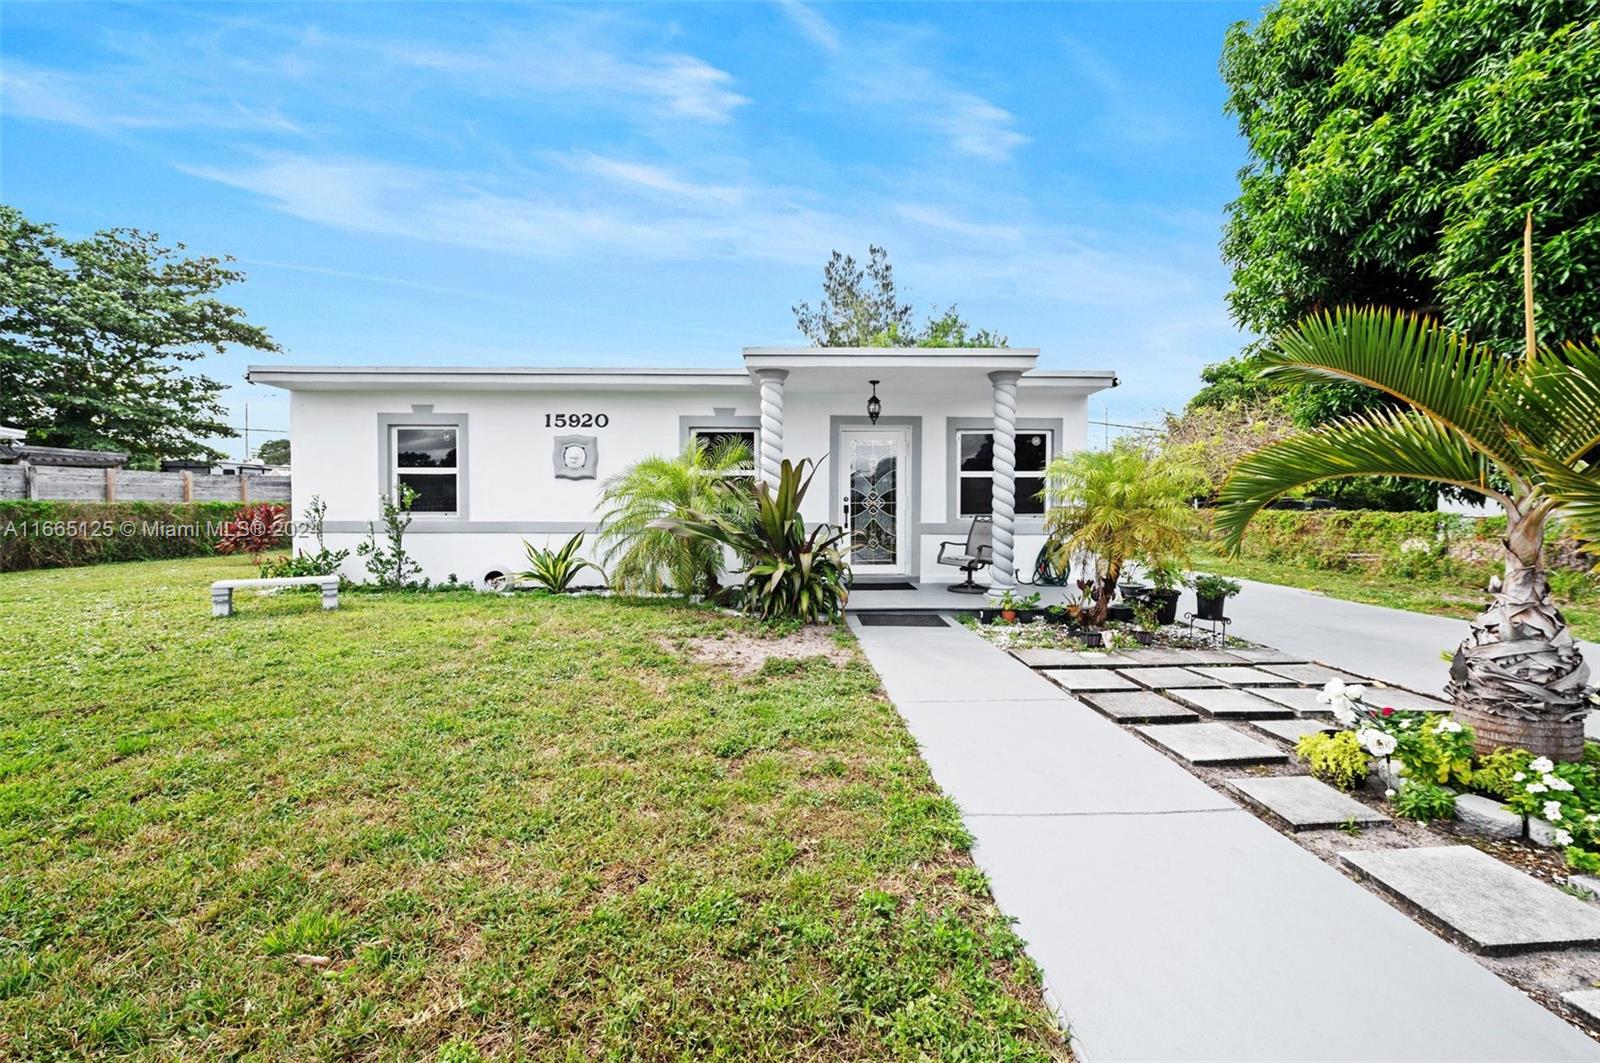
[{"x": 642, "y": 552}]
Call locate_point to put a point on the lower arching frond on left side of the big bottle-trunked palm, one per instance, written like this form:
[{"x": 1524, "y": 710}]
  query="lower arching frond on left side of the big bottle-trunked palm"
[{"x": 1382, "y": 443}]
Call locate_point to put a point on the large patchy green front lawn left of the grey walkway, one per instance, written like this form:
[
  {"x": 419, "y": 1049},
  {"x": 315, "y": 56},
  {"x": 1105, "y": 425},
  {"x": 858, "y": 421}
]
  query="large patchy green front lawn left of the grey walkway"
[{"x": 511, "y": 827}]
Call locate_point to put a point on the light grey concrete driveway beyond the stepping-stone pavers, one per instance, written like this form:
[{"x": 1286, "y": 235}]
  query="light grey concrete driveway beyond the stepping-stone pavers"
[{"x": 1393, "y": 644}]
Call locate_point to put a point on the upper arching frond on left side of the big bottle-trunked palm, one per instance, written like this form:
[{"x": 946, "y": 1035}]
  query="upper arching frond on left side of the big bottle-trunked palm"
[{"x": 1431, "y": 369}]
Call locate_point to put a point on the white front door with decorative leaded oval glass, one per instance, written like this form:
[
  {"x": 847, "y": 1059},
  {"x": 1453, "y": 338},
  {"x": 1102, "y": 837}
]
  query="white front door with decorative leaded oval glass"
[{"x": 876, "y": 508}]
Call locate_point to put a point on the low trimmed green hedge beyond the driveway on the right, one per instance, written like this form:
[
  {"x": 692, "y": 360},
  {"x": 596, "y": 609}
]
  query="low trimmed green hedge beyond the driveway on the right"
[{"x": 1391, "y": 544}]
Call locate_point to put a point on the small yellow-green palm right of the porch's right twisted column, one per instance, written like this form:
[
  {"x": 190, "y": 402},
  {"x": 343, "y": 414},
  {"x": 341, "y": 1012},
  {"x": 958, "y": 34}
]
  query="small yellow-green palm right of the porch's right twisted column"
[{"x": 1116, "y": 507}]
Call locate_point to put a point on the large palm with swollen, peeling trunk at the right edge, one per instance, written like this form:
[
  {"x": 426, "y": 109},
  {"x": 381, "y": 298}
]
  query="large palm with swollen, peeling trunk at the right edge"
[{"x": 1513, "y": 430}]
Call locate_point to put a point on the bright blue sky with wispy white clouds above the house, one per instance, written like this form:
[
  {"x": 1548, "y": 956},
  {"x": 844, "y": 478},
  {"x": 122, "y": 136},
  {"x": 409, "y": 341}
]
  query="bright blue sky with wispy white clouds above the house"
[{"x": 647, "y": 183}]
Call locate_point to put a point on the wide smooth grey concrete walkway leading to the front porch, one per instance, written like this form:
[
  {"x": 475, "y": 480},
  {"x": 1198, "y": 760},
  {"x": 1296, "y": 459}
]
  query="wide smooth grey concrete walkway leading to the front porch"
[{"x": 1172, "y": 925}]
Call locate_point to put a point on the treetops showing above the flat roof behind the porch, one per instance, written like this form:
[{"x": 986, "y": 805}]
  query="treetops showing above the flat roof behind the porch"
[{"x": 862, "y": 308}]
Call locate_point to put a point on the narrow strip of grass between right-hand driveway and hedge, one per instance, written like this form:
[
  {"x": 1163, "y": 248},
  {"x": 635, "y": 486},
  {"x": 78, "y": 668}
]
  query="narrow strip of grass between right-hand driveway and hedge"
[{"x": 1460, "y": 596}]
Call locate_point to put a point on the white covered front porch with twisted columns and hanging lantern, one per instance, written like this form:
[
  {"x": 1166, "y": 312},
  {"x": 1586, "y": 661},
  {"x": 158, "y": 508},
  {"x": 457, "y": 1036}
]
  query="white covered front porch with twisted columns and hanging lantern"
[{"x": 921, "y": 443}]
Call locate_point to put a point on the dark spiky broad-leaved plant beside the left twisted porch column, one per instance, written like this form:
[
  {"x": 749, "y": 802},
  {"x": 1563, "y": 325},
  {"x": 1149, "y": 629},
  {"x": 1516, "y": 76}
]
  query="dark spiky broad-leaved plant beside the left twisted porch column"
[{"x": 790, "y": 574}]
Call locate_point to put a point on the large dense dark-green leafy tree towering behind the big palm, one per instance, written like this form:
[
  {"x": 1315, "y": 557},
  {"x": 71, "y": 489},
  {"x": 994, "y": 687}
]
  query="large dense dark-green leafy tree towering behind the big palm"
[{"x": 1394, "y": 150}]
